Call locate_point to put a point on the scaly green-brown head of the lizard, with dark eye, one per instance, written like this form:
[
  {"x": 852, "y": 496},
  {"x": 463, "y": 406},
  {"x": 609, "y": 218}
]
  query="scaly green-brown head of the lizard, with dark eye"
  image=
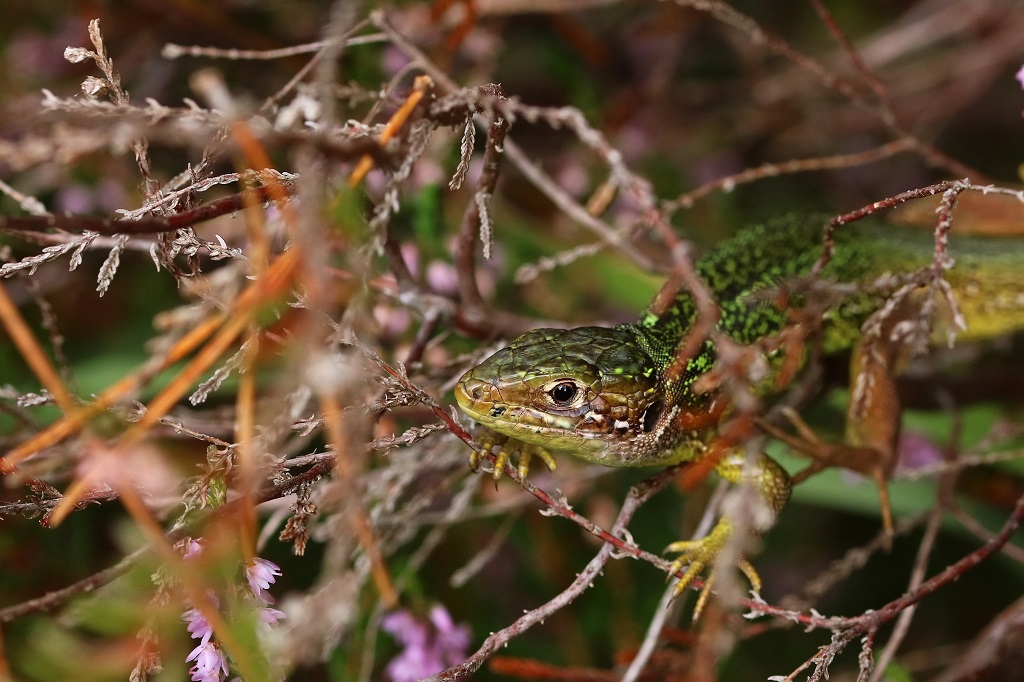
[{"x": 590, "y": 392}]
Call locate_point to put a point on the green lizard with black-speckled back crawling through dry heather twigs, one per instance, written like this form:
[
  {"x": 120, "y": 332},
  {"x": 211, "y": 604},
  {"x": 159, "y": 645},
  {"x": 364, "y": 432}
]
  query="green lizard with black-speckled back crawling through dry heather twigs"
[{"x": 607, "y": 395}]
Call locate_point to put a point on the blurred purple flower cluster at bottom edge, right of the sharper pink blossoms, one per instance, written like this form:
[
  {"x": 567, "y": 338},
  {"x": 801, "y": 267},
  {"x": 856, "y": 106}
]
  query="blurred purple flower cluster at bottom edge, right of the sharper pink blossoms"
[{"x": 430, "y": 647}]
